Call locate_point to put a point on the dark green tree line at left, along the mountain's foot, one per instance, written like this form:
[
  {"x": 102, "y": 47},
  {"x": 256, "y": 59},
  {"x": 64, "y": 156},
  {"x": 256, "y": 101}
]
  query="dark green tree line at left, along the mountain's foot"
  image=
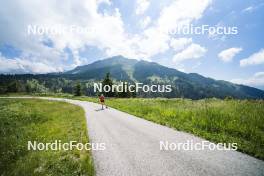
[{"x": 55, "y": 84}]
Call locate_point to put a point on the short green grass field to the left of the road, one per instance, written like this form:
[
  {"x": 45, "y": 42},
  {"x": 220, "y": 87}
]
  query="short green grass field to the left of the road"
[{"x": 44, "y": 121}]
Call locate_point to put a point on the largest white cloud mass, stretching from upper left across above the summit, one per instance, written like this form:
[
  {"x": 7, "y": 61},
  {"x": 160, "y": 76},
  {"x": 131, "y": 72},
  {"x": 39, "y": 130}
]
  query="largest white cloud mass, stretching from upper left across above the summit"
[{"x": 110, "y": 35}]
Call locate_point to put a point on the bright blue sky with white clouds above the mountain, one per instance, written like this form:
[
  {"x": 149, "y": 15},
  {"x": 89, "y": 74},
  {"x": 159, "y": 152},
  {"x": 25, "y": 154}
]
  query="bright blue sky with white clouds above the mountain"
[{"x": 136, "y": 29}]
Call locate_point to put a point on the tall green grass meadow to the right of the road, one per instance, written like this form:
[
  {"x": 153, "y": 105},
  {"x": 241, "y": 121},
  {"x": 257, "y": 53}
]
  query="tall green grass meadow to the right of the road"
[{"x": 225, "y": 121}]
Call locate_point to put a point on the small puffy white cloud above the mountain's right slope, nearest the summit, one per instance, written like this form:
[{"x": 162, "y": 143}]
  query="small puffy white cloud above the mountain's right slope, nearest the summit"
[{"x": 194, "y": 51}]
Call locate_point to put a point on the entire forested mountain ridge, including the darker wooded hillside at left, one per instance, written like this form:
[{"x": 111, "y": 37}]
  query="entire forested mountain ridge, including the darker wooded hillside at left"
[{"x": 185, "y": 85}]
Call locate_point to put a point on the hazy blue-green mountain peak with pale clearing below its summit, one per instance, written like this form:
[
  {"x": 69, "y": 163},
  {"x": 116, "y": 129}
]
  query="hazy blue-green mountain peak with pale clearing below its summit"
[{"x": 190, "y": 85}]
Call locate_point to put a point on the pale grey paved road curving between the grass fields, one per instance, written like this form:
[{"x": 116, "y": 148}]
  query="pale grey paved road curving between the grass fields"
[{"x": 133, "y": 148}]
